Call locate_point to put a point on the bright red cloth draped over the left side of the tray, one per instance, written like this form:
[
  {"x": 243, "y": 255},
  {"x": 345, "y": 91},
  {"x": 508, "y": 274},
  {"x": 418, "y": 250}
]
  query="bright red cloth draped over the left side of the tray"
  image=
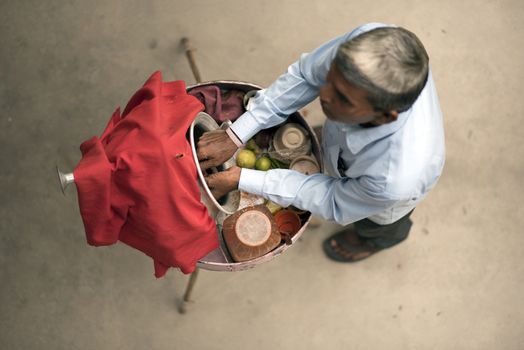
[{"x": 137, "y": 183}]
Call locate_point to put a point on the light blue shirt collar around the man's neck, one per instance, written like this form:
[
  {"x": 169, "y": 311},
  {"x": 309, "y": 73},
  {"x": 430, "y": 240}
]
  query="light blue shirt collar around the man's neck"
[{"x": 358, "y": 137}]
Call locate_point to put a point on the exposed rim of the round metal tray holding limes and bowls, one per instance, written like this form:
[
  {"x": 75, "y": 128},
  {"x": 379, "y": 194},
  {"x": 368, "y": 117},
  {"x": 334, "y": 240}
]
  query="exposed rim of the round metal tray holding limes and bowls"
[{"x": 219, "y": 259}]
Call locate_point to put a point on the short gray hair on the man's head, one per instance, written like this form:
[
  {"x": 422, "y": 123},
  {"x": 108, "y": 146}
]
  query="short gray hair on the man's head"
[{"x": 389, "y": 63}]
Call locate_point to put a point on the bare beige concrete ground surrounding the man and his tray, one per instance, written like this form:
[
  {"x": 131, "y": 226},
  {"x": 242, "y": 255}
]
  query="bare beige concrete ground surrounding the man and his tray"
[{"x": 457, "y": 283}]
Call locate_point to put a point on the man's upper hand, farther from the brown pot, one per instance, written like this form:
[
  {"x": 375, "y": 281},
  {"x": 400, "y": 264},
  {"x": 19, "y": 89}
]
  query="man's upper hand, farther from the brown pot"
[{"x": 214, "y": 148}]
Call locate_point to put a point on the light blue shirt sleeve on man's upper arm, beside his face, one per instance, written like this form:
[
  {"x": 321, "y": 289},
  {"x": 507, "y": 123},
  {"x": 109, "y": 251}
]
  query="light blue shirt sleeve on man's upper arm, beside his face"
[{"x": 293, "y": 89}]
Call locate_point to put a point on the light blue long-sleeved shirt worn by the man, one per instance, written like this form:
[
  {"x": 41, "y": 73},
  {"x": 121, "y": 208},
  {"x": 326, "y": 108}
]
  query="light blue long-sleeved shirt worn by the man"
[{"x": 390, "y": 168}]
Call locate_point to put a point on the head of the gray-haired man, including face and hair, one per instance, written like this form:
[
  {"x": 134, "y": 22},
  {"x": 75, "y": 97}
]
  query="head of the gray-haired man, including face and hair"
[{"x": 375, "y": 76}]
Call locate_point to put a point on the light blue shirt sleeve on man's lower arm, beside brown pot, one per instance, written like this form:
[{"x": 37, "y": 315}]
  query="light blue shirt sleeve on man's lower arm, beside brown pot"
[{"x": 343, "y": 200}]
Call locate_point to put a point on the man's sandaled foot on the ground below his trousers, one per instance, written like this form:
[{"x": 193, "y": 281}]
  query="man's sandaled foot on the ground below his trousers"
[{"x": 345, "y": 246}]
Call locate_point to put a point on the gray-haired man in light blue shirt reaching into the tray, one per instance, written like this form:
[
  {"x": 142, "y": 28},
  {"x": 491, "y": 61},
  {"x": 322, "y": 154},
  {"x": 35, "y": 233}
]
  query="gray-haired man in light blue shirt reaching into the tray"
[{"x": 383, "y": 140}]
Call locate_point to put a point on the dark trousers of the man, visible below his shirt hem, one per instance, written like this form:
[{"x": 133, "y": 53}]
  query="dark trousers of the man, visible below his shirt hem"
[{"x": 383, "y": 236}]
